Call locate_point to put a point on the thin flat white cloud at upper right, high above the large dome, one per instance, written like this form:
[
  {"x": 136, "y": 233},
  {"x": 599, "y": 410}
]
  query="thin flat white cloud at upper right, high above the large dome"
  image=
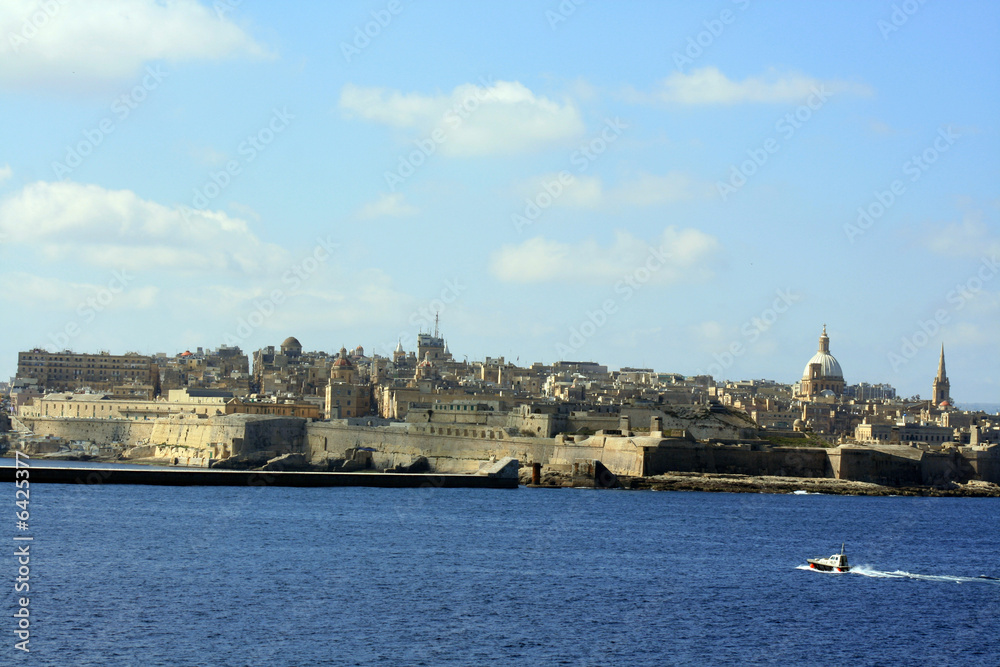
[{"x": 708, "y": 85}]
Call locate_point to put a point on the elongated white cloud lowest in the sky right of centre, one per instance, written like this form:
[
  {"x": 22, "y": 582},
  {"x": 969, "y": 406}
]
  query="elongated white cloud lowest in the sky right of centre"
[{"x": 675, "y": 256}]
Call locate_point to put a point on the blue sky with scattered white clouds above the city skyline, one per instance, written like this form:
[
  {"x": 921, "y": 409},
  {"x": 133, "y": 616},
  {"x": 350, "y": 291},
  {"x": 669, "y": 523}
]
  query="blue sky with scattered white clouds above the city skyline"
[{"x": 692, "y": 187}]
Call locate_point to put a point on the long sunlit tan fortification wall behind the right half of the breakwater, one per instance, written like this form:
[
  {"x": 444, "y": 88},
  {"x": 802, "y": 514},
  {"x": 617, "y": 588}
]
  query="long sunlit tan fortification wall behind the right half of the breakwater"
[{"x": 447, "y": 449}]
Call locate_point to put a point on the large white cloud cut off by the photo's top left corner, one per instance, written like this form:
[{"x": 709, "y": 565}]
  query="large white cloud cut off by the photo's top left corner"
[{"x": 78, "y": 45}]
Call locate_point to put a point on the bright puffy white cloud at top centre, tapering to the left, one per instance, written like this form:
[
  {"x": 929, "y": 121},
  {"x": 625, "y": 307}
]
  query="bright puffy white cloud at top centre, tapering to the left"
[{"x": 504, "y": 117}]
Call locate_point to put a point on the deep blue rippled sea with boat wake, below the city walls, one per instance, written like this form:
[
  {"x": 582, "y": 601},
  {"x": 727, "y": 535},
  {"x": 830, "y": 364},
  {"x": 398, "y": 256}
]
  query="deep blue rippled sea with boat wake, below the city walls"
[{"x": 148, "y": 575}]
